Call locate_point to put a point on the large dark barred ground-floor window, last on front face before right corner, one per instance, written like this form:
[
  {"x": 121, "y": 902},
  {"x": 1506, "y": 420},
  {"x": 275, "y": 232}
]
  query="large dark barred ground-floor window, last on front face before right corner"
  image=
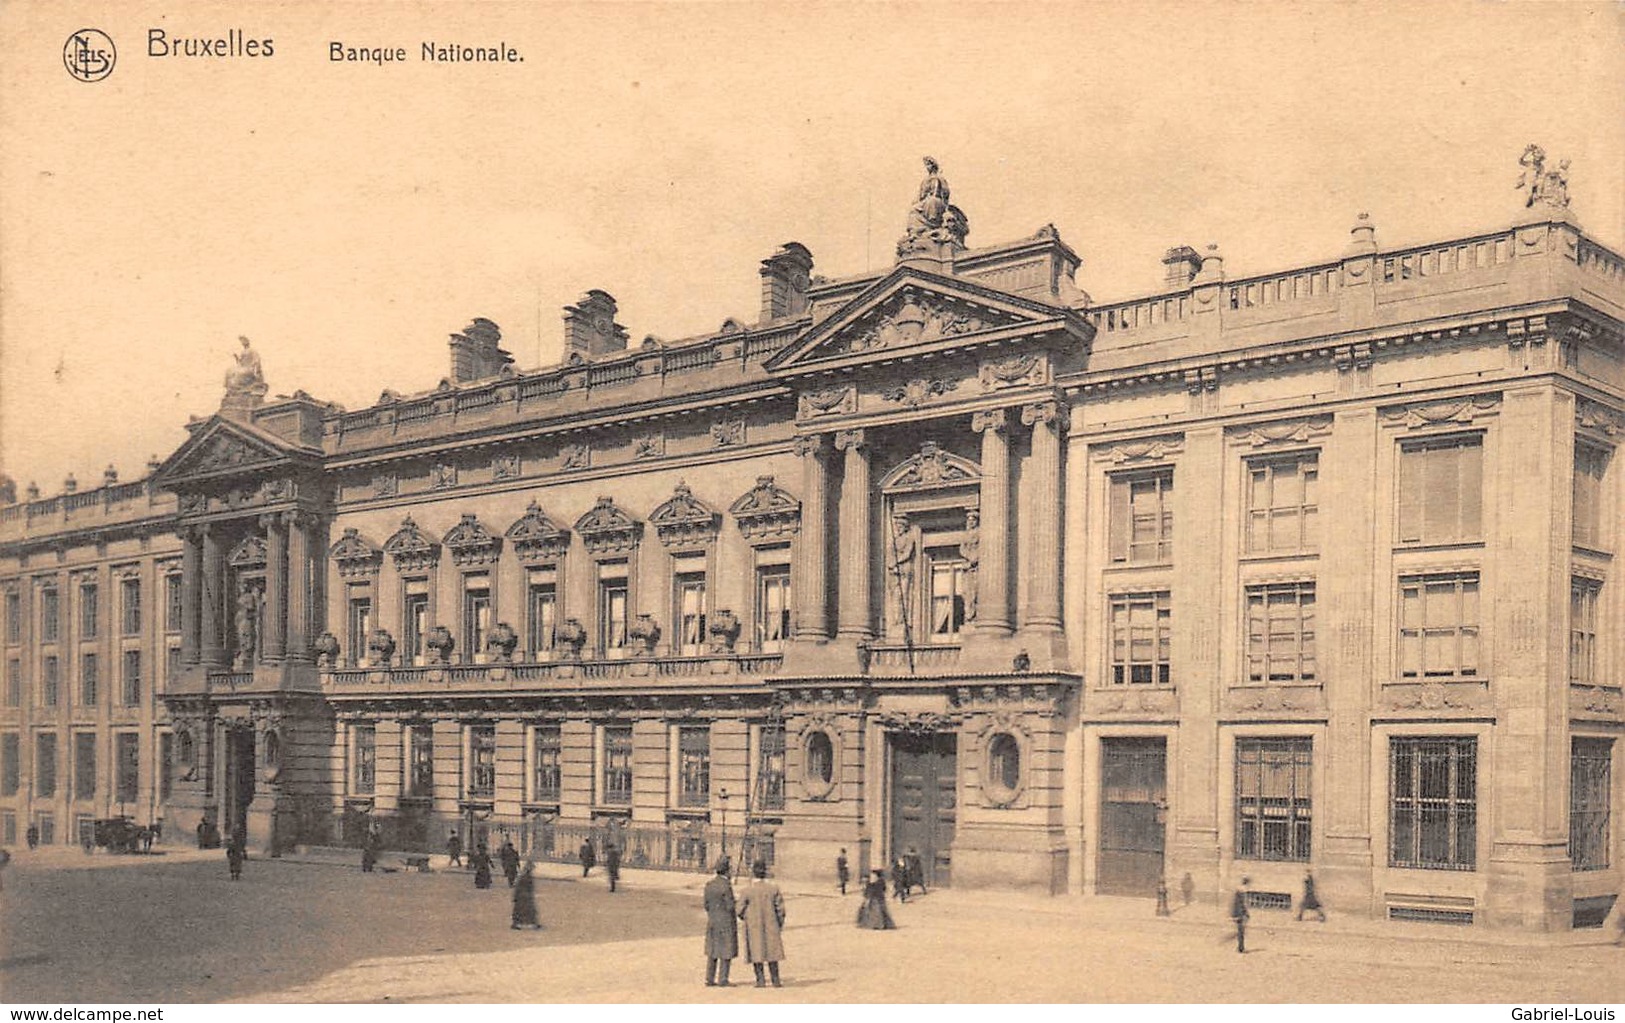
[{"x": 1434, "y": 811}]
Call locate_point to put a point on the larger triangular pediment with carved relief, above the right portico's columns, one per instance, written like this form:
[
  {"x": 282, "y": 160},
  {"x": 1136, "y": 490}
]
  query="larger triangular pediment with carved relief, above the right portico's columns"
[{"x": 912, "y": 308}]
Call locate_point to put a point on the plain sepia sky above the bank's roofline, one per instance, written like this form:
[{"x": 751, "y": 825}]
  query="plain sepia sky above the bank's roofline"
[{"x": 349, "y": 218}]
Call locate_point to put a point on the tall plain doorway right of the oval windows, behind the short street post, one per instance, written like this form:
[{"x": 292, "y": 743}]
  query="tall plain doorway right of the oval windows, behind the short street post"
[{"x": 1133, "y": 816}]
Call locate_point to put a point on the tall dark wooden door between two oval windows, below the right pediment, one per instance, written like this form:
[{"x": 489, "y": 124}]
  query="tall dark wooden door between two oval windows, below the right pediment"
[{"x": 924, "y": 801}]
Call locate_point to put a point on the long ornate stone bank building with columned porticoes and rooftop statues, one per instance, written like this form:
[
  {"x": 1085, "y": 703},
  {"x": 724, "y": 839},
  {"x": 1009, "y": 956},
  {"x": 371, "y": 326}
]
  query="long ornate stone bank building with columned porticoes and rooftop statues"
[{"x": 1302, "y": 571}]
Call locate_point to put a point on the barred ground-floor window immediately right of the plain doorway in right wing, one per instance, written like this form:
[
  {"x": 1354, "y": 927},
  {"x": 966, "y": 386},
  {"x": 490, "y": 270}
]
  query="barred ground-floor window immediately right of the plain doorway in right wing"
[{"x": 1273, "y": 798}]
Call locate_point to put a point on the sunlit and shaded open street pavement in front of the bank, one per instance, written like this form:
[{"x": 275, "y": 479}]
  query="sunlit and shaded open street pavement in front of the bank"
[{"x": 178, "y": 930}]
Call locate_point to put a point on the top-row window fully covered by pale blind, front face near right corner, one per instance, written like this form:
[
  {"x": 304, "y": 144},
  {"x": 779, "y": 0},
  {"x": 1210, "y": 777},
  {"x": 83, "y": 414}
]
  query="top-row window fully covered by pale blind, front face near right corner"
[{"x": 1442, "y": 491}]
